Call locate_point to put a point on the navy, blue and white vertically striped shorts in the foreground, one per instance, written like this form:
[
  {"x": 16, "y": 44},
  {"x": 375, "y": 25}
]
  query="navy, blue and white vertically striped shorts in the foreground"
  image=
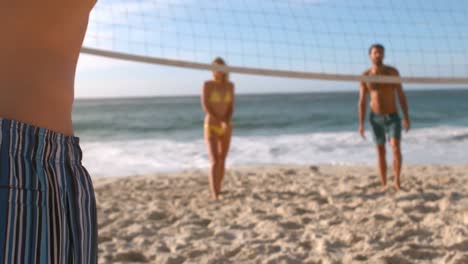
[{"x": 47, "y": 202}]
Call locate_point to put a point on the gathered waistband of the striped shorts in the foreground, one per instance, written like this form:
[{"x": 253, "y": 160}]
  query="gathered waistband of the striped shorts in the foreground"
[{"x": 18, "y": 139}]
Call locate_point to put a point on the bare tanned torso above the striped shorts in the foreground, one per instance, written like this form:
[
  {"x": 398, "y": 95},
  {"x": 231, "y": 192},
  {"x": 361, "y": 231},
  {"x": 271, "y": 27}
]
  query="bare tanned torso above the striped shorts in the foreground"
[{"x": 38, "y": 56}]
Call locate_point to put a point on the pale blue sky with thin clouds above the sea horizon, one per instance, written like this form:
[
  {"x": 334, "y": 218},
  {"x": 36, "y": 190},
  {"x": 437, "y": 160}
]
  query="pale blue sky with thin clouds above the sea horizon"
[{"x": 422, "y": 38}]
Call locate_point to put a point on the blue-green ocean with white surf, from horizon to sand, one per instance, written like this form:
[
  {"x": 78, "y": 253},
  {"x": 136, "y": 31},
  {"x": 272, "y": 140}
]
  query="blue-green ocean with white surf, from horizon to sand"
[{"x": 137, "y": 136}]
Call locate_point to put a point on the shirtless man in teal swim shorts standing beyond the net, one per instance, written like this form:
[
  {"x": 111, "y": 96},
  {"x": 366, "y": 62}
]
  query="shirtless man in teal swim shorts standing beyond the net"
[{"x": 384, "y": 116}]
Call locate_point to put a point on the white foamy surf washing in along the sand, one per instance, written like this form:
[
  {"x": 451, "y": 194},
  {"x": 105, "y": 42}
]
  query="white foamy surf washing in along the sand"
[{"x": 136, "y": 157}]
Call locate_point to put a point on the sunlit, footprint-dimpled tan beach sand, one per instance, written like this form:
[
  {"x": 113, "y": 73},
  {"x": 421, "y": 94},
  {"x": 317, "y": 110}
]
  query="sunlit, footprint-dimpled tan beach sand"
[{"x": 286, "y": 214}]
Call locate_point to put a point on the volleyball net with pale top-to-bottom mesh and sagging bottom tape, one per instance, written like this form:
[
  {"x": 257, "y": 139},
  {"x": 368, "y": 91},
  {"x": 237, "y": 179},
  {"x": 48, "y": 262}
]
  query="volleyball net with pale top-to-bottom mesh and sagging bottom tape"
[{"x": 426, "y": 41}]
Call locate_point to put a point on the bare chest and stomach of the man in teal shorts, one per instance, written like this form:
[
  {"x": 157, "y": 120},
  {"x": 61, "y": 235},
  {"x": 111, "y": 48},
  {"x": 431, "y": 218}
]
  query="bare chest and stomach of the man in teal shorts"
[{"x": 382, "y": 95}]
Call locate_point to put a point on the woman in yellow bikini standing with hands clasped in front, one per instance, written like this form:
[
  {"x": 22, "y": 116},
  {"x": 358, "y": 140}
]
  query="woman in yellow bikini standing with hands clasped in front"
[{"x": 218, "y": 104}]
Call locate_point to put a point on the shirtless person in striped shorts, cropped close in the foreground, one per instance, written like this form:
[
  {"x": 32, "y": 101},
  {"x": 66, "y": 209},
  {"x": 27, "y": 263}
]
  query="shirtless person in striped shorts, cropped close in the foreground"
[{"x": 47, "y": 203}]
